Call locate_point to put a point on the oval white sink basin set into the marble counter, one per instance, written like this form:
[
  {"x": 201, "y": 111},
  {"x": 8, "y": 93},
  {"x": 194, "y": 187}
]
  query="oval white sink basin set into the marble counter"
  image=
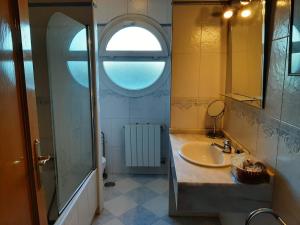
[{"x": 205, "y": 154}]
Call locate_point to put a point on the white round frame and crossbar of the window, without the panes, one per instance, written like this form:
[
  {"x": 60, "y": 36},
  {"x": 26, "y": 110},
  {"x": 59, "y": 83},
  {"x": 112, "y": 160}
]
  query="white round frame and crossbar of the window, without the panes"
[{"x": 150, "y": 56}]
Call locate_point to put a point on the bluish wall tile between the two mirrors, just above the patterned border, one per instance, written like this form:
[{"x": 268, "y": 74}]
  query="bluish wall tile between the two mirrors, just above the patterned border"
[{"x": 276, "y": 78}]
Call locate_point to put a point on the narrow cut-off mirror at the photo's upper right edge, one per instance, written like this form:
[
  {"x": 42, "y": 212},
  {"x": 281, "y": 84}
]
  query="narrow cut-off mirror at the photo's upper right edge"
[{"x": 294, "y": 59}]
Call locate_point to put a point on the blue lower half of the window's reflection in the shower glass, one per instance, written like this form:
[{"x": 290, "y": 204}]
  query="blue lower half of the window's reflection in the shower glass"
[{"x": 79, "y": 71}]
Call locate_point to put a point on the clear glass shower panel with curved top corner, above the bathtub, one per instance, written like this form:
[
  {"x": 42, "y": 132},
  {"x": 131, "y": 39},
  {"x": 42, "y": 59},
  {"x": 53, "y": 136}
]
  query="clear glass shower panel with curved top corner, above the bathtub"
[{"x": 68, "y": 68}]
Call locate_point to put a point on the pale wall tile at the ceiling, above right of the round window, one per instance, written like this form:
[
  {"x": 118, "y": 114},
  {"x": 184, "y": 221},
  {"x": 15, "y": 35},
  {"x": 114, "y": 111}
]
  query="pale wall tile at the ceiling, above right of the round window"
[{"x": 160, "y": 10}]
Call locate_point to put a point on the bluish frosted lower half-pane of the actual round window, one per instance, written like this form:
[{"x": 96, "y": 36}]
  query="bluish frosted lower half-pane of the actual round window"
[{"x": 133, "y": 75}]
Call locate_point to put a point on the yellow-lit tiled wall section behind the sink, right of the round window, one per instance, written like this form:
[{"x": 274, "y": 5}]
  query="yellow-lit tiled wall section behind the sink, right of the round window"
[{"x": 198, "y": 63}]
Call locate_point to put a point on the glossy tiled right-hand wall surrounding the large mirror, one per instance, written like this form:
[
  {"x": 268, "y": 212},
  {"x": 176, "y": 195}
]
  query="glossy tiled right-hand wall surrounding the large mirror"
[{"x": 273, "y": 134}]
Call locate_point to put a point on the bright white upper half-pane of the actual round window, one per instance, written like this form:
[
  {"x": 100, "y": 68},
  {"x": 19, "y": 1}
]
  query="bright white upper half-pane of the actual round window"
[{"x": 133, "y": 39}]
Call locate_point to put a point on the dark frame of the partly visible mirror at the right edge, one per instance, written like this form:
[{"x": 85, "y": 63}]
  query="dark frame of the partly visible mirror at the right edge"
[{"x": 292, "y": 18}]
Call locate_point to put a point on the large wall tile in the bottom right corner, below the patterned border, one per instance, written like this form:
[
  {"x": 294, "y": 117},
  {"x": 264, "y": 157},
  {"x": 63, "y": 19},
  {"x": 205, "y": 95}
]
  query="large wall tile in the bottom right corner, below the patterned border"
[{"x": 287, "y": 192}]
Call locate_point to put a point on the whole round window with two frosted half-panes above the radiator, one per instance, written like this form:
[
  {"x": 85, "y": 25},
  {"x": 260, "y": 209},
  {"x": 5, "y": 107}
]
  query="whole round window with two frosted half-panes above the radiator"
[{"x": 133, "y": 54}]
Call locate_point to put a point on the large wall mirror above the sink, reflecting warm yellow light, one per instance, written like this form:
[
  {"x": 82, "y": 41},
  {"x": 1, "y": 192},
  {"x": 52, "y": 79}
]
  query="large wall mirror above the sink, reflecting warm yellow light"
[{"x": 247, "y": 50}]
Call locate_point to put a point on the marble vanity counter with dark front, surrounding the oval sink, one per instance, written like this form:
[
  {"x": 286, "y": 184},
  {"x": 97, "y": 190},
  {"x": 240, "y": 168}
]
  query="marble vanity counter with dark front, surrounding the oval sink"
[{"x": 210, "y": 190}]
